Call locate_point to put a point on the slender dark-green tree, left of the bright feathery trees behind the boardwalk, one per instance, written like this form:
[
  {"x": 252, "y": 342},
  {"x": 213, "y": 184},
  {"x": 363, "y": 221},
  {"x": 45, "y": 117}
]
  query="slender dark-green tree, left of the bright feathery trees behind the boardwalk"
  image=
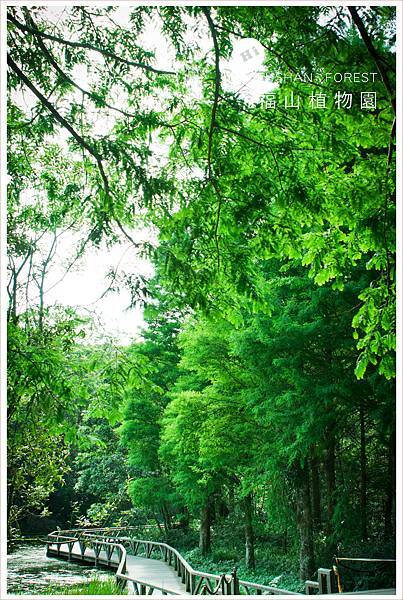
[{"x": 150, "y": 488}]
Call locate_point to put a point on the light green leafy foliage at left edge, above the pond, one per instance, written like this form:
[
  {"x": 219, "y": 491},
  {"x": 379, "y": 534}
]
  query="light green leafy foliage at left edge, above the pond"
[{"x": 44, "y": 399}]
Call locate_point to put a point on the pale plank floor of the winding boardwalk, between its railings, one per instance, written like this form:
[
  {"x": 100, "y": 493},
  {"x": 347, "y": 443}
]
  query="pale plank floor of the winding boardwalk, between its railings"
[{"x": 149, "y": 570}]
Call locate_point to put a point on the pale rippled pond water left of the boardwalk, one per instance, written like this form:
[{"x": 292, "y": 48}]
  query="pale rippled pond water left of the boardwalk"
[{"x": 30, "y": 571}]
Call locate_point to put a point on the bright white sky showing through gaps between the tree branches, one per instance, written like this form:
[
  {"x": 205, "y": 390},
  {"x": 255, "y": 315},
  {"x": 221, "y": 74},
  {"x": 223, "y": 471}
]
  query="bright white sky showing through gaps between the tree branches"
[{"x": 84, "y": 285}]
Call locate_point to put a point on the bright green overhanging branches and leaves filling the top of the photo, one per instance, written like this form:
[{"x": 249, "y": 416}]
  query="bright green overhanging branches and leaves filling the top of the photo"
[{"x": 315, "y": 186}]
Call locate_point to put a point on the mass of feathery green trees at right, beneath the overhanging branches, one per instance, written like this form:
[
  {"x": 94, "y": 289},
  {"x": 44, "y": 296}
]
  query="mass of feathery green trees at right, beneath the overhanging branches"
[{"x": 255, "y": 402}]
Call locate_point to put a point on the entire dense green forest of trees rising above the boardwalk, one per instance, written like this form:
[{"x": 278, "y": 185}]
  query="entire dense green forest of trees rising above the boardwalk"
[{"x": 259, "y": 403}]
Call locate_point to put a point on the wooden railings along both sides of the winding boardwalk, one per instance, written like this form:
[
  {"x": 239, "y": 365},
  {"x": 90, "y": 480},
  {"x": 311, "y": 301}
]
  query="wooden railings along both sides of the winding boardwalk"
[{"x": 115, "y": 548}]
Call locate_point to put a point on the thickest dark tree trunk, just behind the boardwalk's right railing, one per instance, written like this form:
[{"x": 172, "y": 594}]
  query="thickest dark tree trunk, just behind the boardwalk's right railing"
[{"x": 304, "y": 522}]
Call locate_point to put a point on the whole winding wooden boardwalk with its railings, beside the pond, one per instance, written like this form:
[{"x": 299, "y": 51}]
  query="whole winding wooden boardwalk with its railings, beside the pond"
[{"x": 155, "y": 568}]
